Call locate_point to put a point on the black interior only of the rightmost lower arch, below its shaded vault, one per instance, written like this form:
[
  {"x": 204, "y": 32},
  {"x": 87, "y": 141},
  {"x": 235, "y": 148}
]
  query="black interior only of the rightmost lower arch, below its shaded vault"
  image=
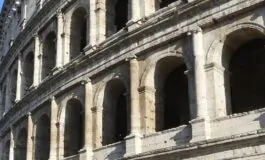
[{"x": 247, "y": 76}]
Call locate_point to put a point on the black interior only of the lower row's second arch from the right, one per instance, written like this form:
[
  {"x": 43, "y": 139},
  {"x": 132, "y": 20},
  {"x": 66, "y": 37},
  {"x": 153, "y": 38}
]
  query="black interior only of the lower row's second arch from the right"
[{"x": 176, "y": 102}]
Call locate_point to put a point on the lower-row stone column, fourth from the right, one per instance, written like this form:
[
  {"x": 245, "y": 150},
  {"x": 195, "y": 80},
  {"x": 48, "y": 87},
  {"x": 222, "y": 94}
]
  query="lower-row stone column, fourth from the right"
[{"x": 54, "y": 130}]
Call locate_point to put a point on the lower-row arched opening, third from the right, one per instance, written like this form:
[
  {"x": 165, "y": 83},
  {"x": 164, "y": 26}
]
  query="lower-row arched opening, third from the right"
[{"x": 115, "y": 112}]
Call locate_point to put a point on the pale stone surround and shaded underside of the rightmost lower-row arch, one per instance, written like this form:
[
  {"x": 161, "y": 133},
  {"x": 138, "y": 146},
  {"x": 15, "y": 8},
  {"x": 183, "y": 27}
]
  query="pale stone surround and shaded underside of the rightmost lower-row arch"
[{"x": 219, "y": 58}]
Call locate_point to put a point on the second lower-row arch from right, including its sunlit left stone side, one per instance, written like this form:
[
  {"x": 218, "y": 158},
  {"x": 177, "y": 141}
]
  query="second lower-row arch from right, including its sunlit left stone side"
[{"x": 168, "y": 92}]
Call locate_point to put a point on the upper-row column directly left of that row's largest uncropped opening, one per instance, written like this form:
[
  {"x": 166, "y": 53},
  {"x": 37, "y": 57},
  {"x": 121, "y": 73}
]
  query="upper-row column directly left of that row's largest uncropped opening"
[{"x": 60, "y": 26}]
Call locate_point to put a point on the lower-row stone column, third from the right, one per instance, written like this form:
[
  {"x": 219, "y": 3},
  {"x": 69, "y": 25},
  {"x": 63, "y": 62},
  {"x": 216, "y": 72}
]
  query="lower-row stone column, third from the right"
[{"x": 88, "y": 119}]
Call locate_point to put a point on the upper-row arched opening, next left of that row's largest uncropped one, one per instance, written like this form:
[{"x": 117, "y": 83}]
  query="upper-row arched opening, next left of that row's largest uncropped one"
[{"x": 49, "y": 55}]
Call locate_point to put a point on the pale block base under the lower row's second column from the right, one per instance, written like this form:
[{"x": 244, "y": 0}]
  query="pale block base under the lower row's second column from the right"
[{"x": 133, "y": 144}]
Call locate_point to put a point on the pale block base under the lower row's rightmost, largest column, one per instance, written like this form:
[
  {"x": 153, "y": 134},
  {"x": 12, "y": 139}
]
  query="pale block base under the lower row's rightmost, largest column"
[{"x": 199, "y": 130}]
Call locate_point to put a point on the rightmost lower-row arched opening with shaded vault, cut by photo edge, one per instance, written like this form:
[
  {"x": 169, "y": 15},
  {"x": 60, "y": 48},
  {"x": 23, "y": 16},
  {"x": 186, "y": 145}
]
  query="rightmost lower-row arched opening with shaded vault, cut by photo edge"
[{"x": 242, "y": 57}]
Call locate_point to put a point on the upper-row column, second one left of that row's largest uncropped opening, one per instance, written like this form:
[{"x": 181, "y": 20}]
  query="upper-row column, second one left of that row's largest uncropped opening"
[{"x": 36, "y": 71}]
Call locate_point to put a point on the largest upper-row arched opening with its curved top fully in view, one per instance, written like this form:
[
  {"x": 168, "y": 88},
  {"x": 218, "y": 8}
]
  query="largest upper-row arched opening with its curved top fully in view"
[{"x": 78, "y": 32}]
